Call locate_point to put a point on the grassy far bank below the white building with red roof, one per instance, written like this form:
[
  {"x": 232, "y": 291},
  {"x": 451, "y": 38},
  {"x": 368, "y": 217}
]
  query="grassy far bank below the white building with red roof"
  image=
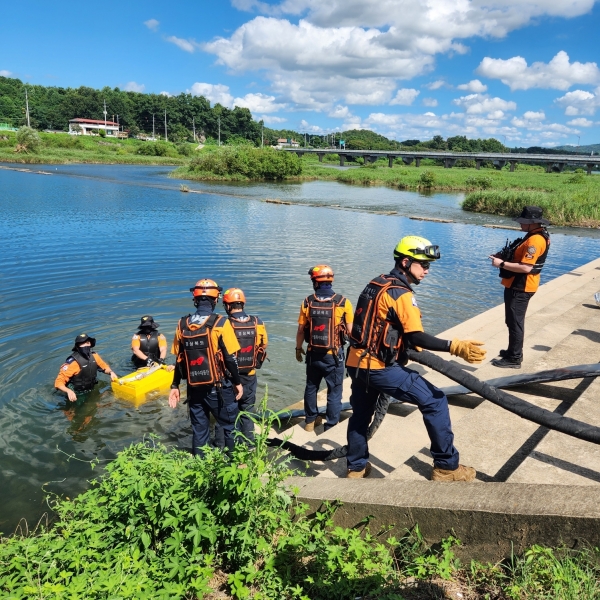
[{"x": 58, "y": 148}]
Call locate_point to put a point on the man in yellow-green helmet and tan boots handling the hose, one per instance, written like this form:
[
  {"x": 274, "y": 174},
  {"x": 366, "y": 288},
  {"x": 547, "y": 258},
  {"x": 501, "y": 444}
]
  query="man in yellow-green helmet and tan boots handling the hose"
[{"x": 387, "y": 321}]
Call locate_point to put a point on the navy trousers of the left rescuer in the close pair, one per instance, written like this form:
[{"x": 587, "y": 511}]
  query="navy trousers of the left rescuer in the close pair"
[{"x": 204, "y": 400}]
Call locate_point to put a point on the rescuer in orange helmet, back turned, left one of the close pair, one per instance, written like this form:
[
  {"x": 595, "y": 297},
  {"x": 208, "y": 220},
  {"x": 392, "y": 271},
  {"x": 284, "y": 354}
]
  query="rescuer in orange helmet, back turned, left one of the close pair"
[{"x": 206, "y": 347}]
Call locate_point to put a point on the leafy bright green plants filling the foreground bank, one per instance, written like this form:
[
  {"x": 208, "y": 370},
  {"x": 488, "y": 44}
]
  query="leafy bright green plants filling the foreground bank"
[{"x": 162, "y": 524}]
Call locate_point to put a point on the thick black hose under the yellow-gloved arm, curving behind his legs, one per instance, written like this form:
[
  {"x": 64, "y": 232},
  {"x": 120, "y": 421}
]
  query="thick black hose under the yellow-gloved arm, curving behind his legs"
[{"x": 515, "y": 405}]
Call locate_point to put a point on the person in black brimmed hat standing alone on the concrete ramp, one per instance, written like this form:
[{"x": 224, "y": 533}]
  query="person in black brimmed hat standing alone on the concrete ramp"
[{"x": 520, "y": 265}]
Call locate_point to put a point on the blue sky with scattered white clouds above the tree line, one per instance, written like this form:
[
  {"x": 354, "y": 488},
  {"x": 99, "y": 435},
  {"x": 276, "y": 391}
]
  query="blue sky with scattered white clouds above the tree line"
[{"x": 523, "y": 71}]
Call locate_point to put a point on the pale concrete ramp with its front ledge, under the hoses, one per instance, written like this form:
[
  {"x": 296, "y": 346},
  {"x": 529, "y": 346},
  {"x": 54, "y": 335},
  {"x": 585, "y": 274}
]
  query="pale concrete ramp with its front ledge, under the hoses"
[{"x": 533, "y": 485}]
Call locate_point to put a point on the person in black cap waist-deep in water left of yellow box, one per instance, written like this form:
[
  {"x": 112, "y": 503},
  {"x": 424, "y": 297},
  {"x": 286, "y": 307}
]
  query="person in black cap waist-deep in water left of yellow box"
[{"x": 78, "y": 373}]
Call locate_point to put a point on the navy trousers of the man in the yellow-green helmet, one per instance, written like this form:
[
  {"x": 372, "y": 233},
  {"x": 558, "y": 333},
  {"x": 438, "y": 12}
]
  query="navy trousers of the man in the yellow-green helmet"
[{"x": 406, "y": 385}]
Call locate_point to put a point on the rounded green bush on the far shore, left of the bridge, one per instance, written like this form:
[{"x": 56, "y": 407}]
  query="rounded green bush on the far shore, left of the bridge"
[{"x": 241, "y": 163}]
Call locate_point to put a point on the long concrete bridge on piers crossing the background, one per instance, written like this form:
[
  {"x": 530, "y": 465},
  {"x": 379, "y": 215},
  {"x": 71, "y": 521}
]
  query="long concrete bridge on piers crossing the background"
[{"x": 553, "y": 162}]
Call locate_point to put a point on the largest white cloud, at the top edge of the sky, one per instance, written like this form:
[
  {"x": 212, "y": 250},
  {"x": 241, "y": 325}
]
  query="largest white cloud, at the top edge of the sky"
[{"x": 365, "y": 47}]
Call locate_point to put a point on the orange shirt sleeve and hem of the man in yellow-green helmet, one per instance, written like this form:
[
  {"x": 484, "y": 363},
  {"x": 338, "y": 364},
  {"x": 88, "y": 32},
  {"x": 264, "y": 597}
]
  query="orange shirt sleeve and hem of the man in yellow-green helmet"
[{"x": 396, "y": 305}]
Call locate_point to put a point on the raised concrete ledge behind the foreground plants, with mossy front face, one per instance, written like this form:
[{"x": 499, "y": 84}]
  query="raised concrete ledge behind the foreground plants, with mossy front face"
[{"x": 491, "y": 520}]
